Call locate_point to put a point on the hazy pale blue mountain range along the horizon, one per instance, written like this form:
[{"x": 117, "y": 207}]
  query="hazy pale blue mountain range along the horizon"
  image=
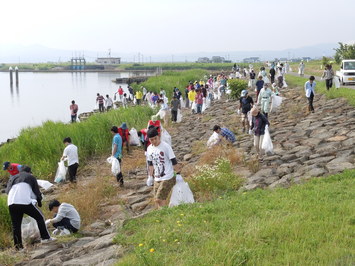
[{"x": 37, "y": 53}]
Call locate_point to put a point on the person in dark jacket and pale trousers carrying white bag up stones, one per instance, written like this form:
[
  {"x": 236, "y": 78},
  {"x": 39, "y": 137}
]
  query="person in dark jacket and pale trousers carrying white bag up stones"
[{"x": 259, "y": 122}]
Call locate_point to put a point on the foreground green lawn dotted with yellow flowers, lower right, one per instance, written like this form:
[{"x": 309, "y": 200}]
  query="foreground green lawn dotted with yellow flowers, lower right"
[{"x": 308, "y": 224}]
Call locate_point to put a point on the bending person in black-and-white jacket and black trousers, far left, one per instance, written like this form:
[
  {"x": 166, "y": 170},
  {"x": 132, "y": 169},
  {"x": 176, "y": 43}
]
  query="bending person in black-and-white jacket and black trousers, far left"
[{"x": 23, "y": 195}]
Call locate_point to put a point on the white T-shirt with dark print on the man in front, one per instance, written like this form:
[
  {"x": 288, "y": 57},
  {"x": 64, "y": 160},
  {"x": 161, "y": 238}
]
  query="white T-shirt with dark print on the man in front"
[{"x": 161, "y": 157}]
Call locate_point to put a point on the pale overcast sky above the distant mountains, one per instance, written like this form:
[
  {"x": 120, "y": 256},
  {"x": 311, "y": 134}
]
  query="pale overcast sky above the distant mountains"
[{"x": 176, "y": 26}]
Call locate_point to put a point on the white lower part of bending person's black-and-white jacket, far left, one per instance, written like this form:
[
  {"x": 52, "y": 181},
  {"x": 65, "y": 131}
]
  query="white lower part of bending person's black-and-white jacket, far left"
[{"x": 21, "y": 193}]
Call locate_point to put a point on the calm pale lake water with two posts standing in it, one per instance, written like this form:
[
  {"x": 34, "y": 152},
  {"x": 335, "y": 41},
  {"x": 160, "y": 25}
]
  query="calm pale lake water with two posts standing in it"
[{"x": 47, "y": 96}]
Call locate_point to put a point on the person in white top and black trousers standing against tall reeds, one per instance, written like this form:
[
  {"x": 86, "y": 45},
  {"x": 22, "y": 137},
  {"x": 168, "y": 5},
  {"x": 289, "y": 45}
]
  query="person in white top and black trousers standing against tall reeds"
[{"x": 71, "y": 153}]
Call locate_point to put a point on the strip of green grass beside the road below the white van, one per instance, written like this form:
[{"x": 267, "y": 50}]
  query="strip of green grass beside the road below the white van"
[{"x": 333, "y": 93}]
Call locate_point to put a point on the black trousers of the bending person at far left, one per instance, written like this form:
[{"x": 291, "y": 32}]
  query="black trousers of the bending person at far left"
[{"x": 16, "y": 212}]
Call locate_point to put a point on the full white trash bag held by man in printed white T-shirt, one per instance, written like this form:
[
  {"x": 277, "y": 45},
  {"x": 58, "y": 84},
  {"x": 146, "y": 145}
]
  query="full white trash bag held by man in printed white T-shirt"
[{"x": 181, "y": 193}]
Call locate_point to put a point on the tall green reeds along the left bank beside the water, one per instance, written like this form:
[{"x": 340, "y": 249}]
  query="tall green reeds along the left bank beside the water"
[{"x": 41, "y": 147}]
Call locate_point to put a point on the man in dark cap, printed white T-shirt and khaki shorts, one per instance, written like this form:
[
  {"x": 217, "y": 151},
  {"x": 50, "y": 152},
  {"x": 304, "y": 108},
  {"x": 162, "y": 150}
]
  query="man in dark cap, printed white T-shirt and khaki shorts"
[{"x": 161, "y": 163}]
